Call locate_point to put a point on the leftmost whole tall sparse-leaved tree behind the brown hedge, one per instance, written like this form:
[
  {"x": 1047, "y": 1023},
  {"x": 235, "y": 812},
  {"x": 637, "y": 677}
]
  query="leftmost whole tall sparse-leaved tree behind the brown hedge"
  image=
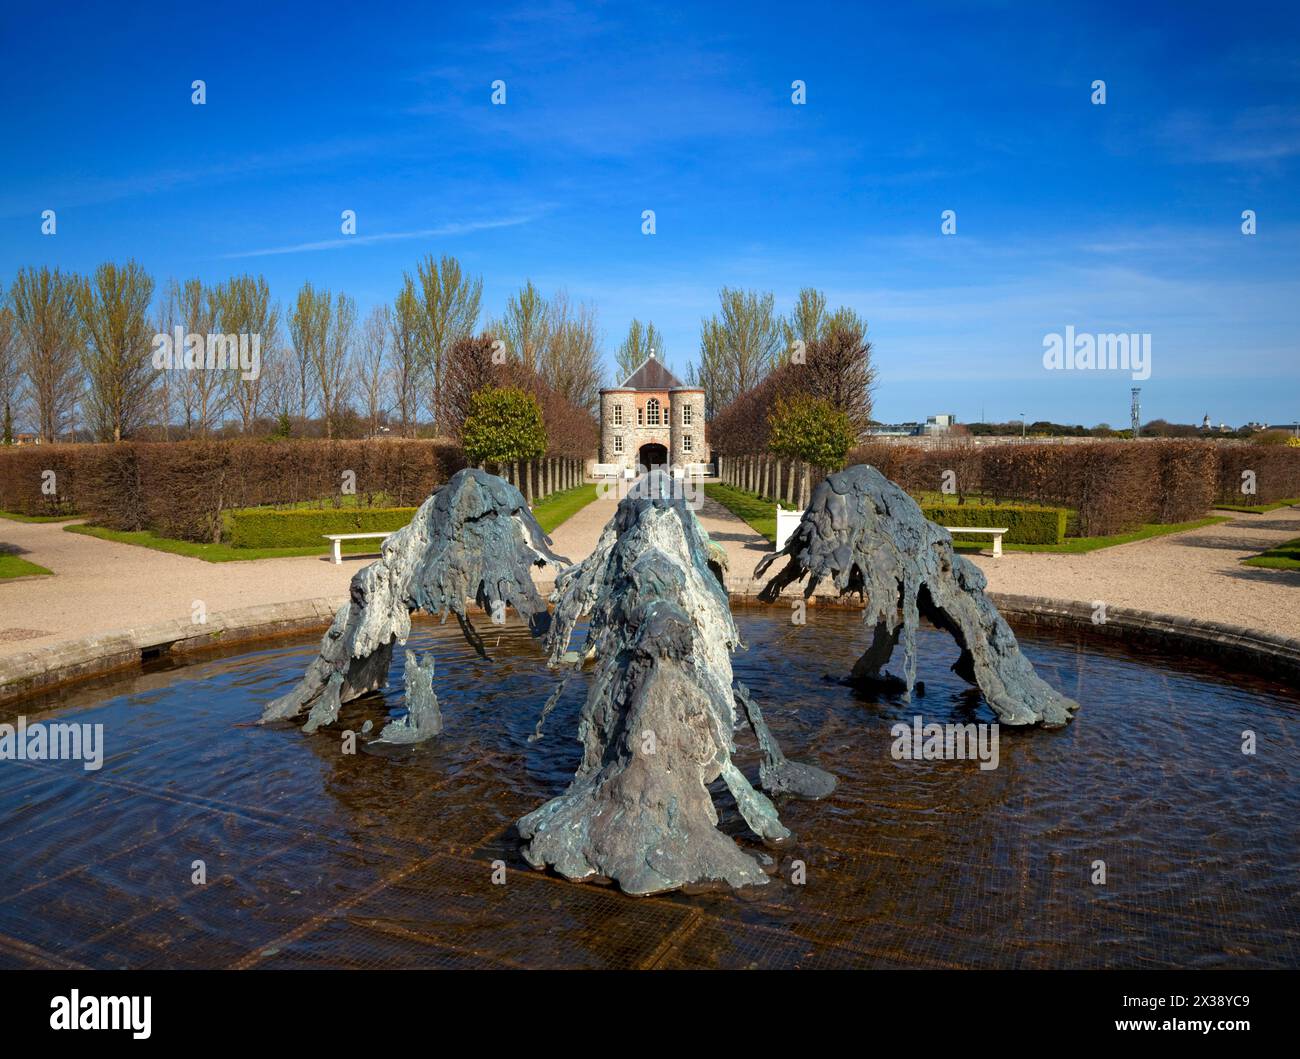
[{"x": 45, "y": 306}]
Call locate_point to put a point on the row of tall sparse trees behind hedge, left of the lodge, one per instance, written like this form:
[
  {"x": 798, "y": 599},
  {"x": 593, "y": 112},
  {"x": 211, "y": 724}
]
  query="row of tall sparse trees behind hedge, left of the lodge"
[{"x": 80, "y": 355}]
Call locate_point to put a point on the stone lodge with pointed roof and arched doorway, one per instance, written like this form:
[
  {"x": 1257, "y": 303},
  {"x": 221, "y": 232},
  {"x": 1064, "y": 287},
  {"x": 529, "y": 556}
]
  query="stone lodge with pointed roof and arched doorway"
[{"x": 653, "y": 420}]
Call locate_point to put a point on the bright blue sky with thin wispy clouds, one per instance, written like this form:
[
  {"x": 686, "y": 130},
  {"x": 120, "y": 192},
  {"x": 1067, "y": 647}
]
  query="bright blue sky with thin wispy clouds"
[{"x": 1124, "y": 218}]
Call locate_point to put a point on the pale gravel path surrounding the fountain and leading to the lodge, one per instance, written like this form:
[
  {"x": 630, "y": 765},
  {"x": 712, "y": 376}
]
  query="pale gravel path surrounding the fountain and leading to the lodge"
[{"x": 101, "y": 587}]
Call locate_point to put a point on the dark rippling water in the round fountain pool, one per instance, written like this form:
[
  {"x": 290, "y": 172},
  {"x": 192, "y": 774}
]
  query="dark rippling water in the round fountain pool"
[{"x": 315, "y": 858}]
